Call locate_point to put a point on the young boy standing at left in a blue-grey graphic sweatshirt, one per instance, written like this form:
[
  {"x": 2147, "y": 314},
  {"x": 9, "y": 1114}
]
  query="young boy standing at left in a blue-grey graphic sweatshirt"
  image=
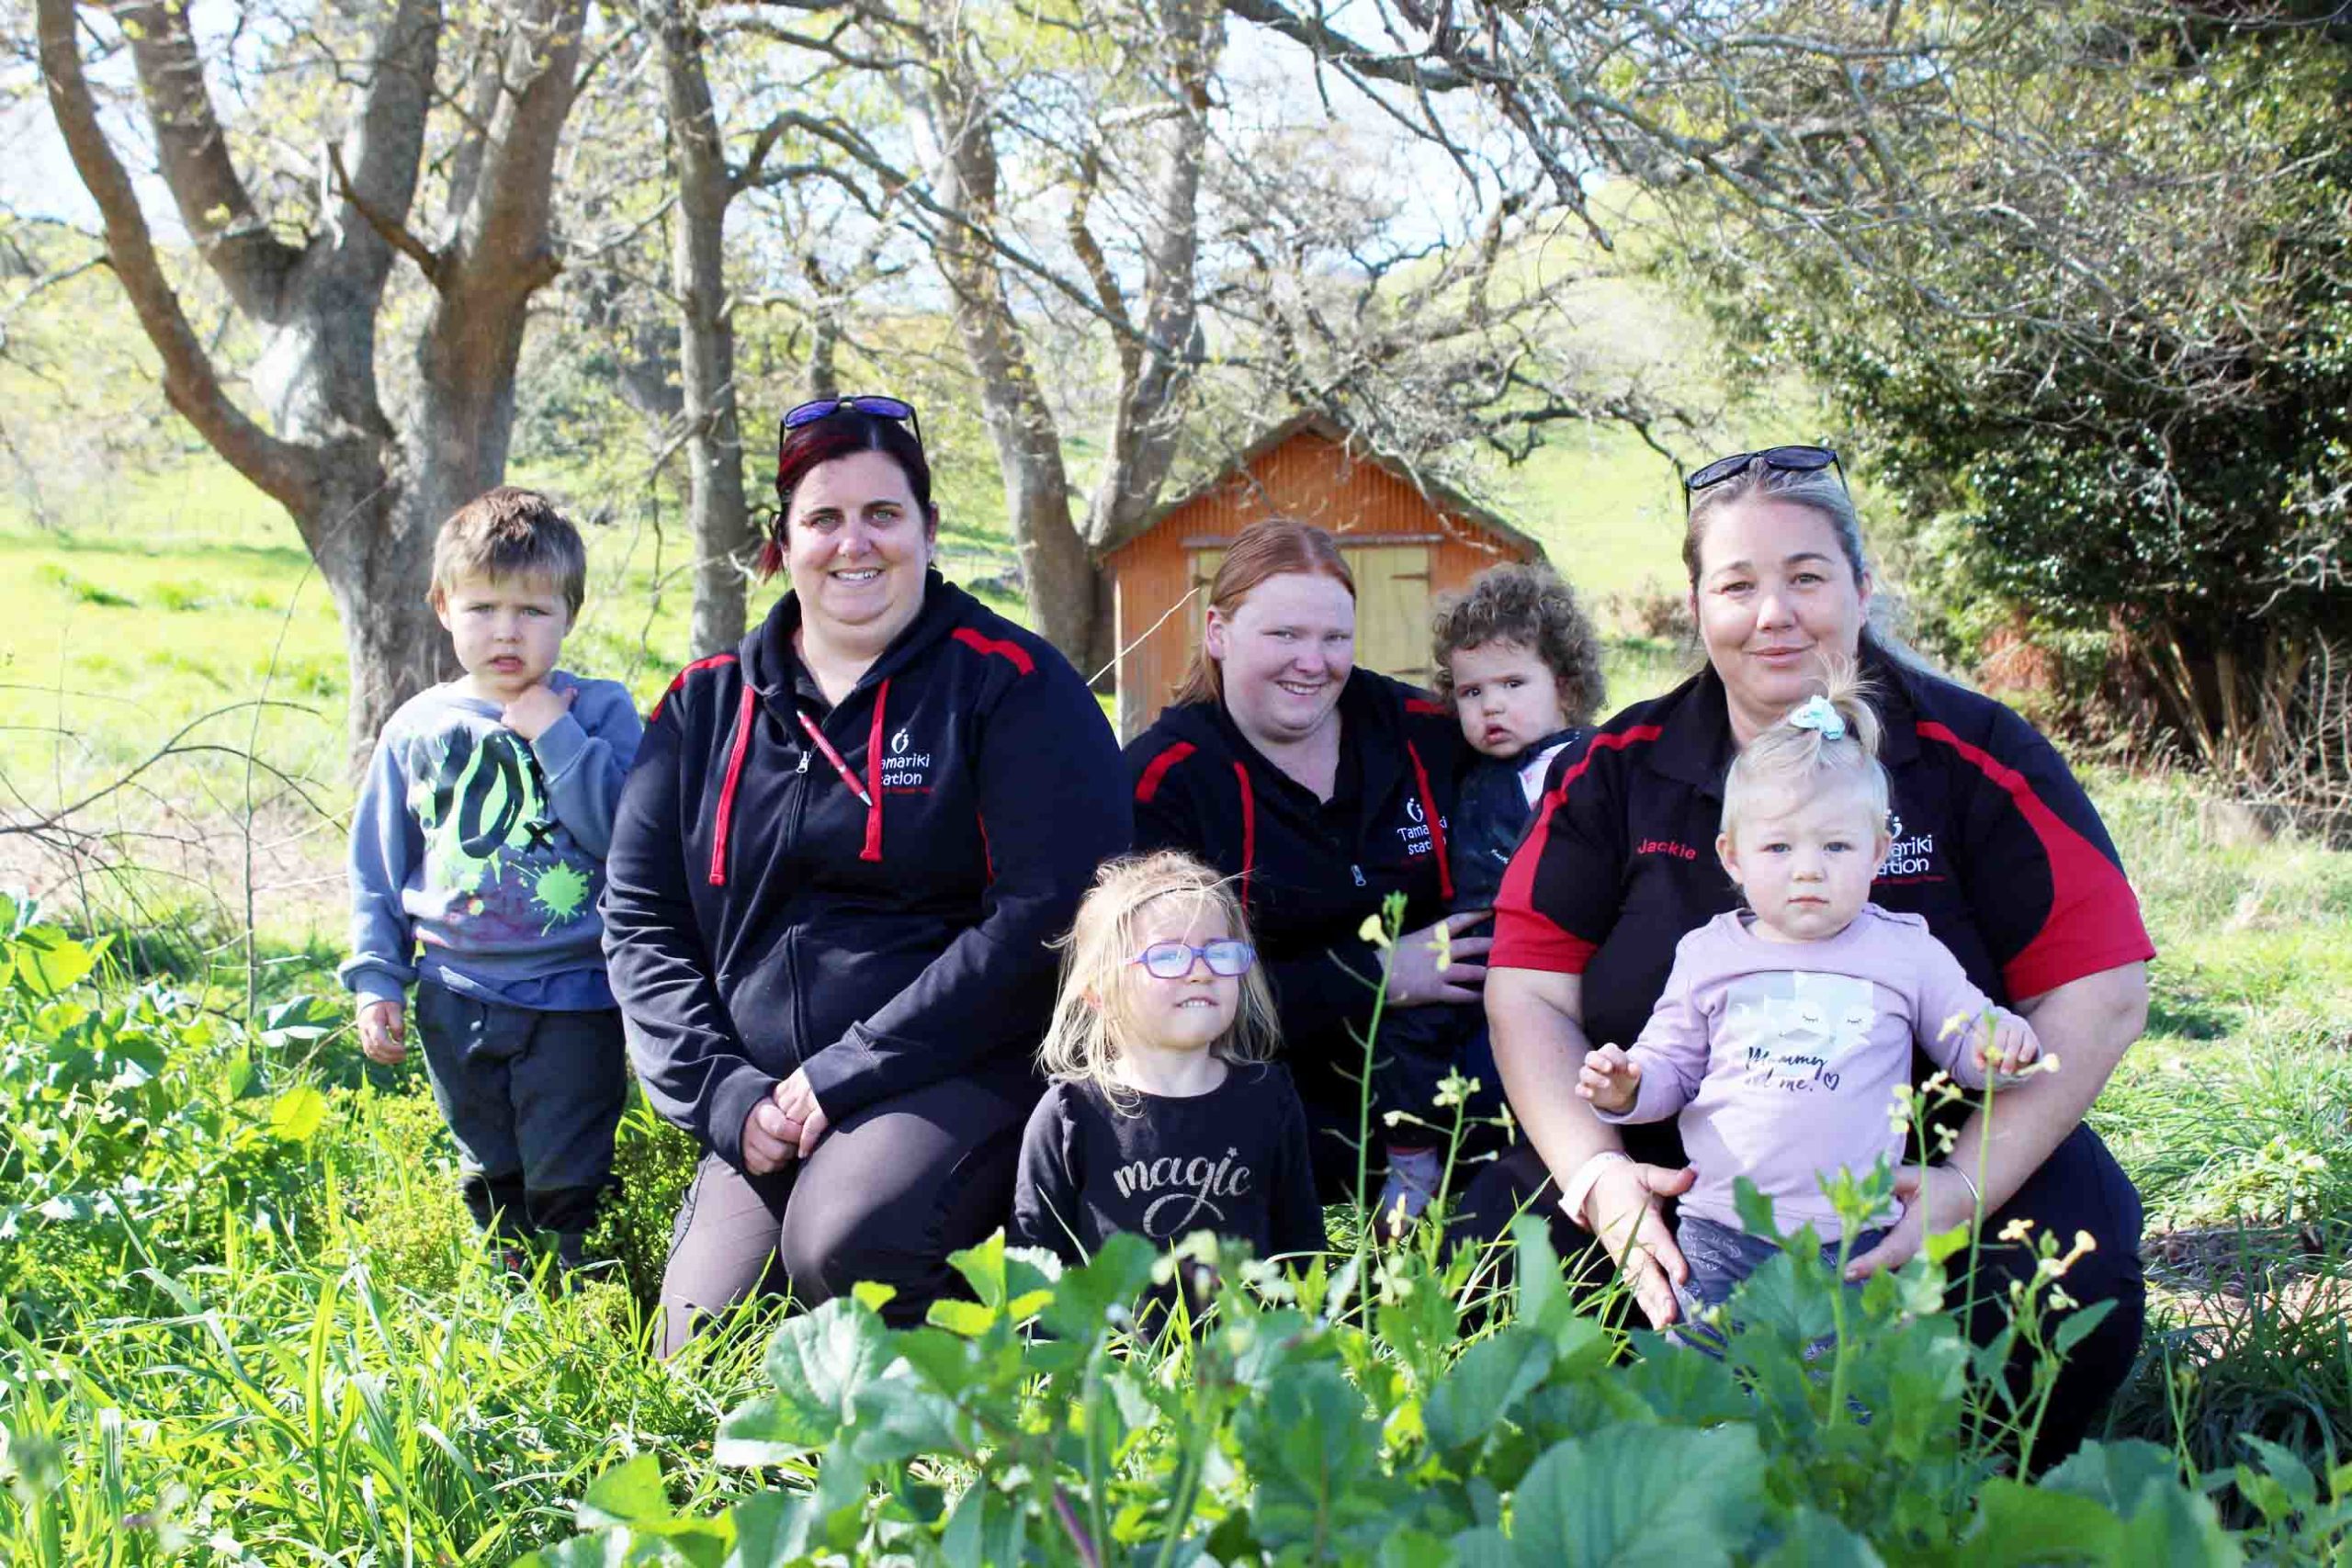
[{"x": 476, "y": 866}]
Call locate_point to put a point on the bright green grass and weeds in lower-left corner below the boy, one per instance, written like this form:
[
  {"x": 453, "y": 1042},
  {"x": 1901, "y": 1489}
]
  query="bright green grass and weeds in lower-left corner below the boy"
[{"x": 253, "y": 1325}]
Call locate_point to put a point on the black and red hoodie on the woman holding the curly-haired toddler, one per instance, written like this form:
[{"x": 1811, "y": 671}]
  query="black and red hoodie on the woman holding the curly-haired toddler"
[{"x": 1311, "y": 871}]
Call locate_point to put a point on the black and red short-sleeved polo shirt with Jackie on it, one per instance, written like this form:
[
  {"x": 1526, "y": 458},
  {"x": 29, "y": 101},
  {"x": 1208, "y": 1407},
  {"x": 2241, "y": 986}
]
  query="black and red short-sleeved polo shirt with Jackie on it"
[{"x": 1993, "y": 845}]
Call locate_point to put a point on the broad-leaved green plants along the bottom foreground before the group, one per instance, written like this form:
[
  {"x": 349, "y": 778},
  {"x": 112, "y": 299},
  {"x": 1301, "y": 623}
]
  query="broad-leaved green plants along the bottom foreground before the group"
[{"x": 1349, "y": 1419}]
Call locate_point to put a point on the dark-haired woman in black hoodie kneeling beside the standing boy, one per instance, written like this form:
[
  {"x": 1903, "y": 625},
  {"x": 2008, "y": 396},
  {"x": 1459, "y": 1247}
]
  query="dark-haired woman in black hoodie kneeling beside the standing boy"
[{"x": 831, "y": 887}]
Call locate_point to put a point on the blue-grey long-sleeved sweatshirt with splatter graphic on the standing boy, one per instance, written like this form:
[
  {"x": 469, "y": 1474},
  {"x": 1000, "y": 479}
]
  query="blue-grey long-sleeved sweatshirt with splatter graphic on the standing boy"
[{"x": 476, "y": 857}]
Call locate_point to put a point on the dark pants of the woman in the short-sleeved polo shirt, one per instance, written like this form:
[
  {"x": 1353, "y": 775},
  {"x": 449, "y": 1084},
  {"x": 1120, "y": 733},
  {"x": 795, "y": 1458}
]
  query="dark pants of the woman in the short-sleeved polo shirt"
[{"x": 2078, "y": 1188}]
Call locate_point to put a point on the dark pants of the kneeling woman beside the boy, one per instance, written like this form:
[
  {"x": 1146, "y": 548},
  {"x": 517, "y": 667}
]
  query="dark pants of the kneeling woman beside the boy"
[{"x": 888, "y": 1195}]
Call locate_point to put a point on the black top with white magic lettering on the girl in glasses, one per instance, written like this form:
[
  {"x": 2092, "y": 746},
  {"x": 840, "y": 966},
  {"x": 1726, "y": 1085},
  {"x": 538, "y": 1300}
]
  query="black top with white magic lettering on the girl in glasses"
[{"x": 1234, "y": 1160}]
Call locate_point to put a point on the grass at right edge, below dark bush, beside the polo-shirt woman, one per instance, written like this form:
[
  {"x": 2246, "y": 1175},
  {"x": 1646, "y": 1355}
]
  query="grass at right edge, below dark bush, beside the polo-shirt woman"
[{"x": 2236, "y": 1120}]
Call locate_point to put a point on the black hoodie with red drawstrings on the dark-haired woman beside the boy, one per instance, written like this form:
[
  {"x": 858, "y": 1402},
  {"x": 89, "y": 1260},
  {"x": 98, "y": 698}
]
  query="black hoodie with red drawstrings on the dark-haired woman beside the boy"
[{"x": 864, "y": 892}]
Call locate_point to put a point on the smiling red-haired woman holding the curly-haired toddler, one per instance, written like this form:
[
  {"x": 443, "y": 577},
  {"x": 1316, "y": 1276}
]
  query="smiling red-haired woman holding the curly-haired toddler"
[{"x": 1323, "y": 789}]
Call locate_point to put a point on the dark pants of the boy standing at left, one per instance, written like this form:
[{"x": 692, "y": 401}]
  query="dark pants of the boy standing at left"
[{"x": 533, "y": 1101}]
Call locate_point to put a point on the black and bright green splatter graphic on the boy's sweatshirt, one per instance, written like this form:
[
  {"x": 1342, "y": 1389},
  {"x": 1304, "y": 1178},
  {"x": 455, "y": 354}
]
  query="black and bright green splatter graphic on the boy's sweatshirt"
[{"x": 481, "y": 803}]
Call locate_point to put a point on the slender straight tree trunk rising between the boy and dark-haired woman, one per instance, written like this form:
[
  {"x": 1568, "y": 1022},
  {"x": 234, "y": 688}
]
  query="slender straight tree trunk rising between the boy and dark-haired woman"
[{"x": 716, "y": 504}]
